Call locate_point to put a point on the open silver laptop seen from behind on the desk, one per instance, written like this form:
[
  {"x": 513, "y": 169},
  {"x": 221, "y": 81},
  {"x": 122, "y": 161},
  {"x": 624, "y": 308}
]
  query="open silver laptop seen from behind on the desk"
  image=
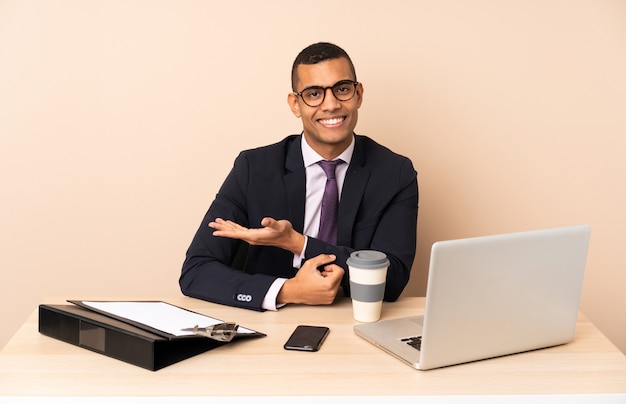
[{"x": 491, "y": 296}]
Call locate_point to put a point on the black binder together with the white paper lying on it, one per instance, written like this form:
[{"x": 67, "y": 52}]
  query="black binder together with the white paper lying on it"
[{"x": 145, "y": 334}]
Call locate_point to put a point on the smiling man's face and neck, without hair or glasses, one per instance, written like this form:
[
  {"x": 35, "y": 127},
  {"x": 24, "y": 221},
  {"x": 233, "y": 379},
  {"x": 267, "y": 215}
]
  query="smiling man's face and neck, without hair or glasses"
[{"x": 327, "y": 128}]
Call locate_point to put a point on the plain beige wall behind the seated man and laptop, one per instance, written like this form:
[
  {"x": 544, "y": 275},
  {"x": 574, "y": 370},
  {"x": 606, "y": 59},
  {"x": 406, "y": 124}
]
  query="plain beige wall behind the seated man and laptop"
[{"x": 120, "y": 119}]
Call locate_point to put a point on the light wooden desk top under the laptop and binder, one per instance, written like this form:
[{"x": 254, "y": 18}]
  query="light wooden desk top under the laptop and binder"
[{"x": 36, "y": 365}]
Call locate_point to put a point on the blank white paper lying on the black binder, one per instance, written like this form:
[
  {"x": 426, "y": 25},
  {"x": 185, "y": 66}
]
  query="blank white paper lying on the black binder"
[{"x": 161, "y": 316}]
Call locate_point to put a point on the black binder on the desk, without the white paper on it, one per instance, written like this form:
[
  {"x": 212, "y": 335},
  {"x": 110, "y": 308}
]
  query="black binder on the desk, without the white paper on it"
[{"x": 121, "y": 340}]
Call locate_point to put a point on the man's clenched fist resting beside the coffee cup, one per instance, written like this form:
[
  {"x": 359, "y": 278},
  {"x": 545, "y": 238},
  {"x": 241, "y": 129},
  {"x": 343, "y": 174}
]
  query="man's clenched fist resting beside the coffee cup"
[{"x": 312, "y": 286}]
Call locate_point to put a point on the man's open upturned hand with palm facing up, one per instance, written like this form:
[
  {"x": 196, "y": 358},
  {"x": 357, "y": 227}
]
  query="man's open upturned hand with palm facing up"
[{"x": 275, "y": 233}]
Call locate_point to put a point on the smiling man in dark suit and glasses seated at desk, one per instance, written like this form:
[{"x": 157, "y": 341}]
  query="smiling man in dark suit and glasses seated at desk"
[{"x": 261, "y": 244}]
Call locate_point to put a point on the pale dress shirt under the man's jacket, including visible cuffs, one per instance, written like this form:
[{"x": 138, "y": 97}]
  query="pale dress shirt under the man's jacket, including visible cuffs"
[{"x": 315, "y": 183}]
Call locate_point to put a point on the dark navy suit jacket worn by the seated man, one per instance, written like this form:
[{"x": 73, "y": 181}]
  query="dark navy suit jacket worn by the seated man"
[{"x": 377, "y": 210}]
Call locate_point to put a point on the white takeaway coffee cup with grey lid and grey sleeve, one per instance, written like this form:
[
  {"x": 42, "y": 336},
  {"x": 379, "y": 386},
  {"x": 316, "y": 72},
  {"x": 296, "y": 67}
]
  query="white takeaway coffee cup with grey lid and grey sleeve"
[{"x": 368, "y": 272}]
